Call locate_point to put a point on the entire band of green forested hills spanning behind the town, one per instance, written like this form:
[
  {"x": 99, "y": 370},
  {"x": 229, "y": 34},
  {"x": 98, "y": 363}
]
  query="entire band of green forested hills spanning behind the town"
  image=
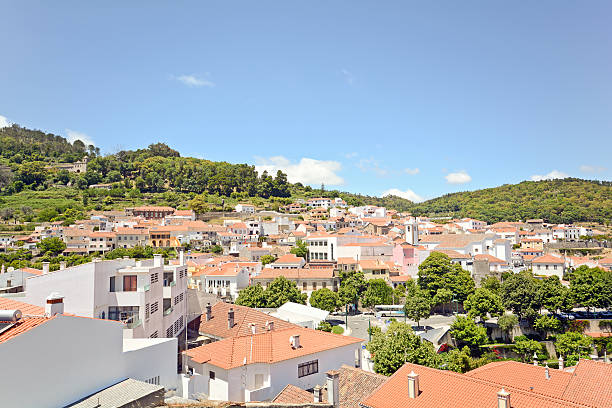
[{"x": 159, "y": 175}]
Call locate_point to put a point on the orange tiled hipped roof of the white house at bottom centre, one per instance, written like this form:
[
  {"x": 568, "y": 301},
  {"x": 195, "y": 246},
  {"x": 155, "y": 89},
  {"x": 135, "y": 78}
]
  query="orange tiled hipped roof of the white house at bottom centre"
[{"x": 269, "y": 347}]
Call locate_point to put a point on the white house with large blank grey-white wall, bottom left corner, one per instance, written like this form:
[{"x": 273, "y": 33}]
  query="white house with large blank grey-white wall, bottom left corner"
[{"x": 55, "y": 360}]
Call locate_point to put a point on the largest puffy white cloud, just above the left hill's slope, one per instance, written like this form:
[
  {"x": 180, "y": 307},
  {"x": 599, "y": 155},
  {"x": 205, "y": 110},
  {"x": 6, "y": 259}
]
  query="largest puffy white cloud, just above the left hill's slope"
[{"x": 306, "y": 171}]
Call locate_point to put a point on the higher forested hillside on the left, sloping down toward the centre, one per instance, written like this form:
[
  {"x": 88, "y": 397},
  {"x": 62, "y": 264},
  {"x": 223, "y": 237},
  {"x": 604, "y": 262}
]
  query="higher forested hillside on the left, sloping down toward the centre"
[{"x": 145, "y": 174}]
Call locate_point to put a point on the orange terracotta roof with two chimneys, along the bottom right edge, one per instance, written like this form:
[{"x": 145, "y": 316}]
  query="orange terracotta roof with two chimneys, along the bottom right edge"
[{"x": 447, "y": 389}]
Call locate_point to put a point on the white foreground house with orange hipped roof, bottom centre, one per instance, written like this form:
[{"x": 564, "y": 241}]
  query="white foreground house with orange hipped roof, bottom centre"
[{"x": 256, "y": 367}]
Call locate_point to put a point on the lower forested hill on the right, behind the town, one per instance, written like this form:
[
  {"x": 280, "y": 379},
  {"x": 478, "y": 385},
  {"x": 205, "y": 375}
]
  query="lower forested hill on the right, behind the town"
[{"x": 556, "y": 201}]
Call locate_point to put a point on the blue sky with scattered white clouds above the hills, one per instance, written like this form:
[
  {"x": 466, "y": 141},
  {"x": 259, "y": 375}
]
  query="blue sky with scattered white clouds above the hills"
[{"x": 417, "y": 99}]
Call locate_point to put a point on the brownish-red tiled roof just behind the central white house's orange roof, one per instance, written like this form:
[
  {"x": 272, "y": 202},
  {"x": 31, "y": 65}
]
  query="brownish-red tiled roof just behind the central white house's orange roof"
[{"x": 243, "y": 316}]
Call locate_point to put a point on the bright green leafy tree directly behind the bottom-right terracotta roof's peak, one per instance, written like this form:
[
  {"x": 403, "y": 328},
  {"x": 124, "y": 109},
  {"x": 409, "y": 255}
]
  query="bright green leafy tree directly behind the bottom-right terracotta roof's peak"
[{"x": 397, "y": 346}]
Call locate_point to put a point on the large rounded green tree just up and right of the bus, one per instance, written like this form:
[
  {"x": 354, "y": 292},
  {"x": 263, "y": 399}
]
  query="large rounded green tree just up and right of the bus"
[{"x": 437, "y": 272}]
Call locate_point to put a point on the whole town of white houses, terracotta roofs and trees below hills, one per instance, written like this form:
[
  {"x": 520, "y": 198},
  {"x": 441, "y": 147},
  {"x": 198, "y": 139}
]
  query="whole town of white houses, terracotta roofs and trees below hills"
[{"x": 295, "y": 307}]
